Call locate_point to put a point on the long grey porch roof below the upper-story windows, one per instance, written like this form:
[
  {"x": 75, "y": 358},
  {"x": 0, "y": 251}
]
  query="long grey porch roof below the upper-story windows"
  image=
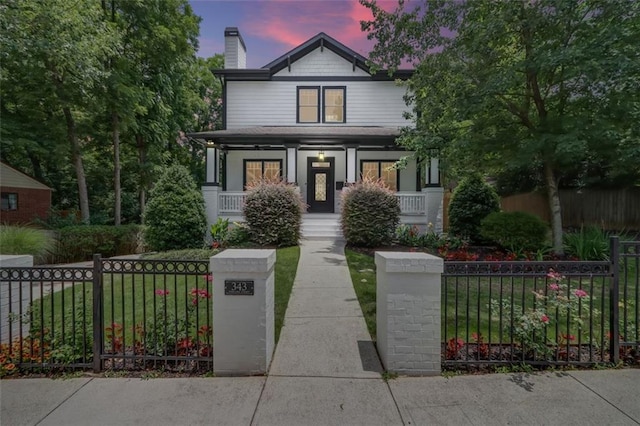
[{"x": 311, "y": 135}]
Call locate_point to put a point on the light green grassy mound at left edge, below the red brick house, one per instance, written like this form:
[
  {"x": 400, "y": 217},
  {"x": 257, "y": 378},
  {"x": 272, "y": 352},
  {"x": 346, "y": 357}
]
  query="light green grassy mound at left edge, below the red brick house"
[{"x": 24, "y": 240}]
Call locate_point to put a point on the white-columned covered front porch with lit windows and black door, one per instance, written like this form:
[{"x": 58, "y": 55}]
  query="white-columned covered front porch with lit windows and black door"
[{"x": 320, "y": 162}]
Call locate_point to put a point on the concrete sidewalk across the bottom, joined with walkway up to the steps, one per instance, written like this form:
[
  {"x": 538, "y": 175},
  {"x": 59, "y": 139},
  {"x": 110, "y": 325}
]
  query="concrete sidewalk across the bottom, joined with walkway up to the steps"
[{"x": 325, "y": 371}]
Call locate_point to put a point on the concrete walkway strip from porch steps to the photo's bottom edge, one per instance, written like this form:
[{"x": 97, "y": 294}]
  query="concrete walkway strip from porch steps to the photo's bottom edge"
[{"x": 325, "y": 368}]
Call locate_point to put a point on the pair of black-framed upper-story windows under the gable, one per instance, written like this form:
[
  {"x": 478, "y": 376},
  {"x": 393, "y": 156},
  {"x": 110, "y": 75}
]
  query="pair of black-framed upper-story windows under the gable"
[{"x": 332, "y": 110}]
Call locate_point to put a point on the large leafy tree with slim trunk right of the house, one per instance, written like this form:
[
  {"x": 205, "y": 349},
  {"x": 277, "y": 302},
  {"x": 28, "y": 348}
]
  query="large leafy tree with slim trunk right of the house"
[{"x": 549, "y": 83}]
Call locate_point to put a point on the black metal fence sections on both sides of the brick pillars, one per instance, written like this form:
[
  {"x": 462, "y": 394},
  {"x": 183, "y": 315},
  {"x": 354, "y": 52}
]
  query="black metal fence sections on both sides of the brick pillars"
[{"x": 138, "y": 314}]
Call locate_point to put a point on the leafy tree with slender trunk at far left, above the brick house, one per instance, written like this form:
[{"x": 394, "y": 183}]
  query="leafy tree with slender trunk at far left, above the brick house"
[{"x": 54, "y": 52}]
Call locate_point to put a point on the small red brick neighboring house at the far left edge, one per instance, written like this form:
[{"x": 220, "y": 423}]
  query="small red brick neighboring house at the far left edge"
[{"x": 23, "y": 198}]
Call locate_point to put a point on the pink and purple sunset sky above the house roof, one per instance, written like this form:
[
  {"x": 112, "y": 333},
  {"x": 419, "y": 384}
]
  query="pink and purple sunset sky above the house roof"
[{"x": 270, "y": 28}]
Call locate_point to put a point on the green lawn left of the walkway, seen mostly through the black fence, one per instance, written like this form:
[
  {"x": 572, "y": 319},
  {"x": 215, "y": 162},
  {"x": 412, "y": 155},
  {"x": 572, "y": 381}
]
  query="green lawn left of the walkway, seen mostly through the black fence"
[{"x": 122, "y": 289}]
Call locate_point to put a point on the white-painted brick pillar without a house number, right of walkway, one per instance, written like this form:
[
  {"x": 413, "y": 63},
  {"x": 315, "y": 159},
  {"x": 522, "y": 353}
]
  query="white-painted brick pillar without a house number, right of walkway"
[{"x": 409, "y": 312}]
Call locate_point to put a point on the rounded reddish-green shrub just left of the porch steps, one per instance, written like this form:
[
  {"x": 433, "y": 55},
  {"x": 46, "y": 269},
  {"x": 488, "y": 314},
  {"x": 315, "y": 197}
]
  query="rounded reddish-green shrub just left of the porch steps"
[{"x": 273, "y": 212}]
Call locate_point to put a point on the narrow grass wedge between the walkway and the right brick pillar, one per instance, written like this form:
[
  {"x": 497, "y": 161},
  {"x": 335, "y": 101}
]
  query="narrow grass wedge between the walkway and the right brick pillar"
[{"x": 362, "y": 269}]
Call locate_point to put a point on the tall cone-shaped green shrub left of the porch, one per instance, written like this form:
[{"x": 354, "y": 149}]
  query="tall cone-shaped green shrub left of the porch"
[{"x": 175, "y": 217}]
